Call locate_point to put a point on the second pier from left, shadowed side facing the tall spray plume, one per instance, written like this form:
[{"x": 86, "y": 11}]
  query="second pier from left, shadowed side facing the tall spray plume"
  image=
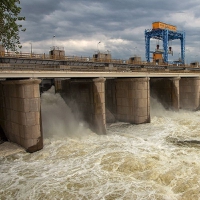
[{"x": 86, "y": 98}]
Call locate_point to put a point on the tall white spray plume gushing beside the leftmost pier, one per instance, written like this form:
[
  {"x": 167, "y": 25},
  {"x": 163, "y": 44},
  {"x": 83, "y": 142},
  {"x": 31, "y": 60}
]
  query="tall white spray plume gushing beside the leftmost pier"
[{"x": 57, "y": 118}]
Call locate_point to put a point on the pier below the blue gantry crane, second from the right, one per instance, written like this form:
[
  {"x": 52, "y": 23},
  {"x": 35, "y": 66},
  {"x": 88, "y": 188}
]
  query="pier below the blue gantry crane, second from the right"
[{"x": 166, "y": 90}]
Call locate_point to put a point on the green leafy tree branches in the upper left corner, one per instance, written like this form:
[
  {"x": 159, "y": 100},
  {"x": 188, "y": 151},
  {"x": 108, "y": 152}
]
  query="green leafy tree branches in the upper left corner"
[{"x": 9, "y": 27}]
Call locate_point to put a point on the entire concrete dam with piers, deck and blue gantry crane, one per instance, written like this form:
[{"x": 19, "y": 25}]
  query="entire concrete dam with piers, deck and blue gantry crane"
[{"x": 99, "y": 87}]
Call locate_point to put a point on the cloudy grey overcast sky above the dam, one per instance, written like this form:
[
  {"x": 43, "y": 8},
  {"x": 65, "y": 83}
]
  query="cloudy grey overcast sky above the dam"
[{"x": 79, "y": 26}]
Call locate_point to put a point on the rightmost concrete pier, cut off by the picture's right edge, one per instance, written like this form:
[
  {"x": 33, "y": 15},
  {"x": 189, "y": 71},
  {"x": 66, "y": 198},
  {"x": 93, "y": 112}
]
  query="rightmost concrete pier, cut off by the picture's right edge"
[{"x": 190, "y": 93}]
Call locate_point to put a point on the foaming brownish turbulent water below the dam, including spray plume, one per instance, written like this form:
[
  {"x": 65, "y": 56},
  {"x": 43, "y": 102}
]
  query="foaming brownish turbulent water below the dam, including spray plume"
[{"x": 160, "y": 160}]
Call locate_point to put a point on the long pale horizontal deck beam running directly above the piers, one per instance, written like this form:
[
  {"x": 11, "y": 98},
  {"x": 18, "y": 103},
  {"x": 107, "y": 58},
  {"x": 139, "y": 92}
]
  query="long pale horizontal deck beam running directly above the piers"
[{"x": 88, "y": 74}]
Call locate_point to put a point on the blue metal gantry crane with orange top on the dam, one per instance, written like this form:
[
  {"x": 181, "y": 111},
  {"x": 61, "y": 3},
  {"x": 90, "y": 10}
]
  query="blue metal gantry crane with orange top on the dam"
[{"x": 166, "y": 33}]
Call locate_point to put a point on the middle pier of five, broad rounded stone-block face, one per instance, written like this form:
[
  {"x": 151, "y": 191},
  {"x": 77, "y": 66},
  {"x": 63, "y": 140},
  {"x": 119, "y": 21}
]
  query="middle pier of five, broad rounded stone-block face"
[{"x": 133, "y": 100}]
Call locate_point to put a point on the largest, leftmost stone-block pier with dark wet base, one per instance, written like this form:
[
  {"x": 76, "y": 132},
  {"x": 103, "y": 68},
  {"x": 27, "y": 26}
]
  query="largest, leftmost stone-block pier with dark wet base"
[{"x": 20, "y": 113}]
